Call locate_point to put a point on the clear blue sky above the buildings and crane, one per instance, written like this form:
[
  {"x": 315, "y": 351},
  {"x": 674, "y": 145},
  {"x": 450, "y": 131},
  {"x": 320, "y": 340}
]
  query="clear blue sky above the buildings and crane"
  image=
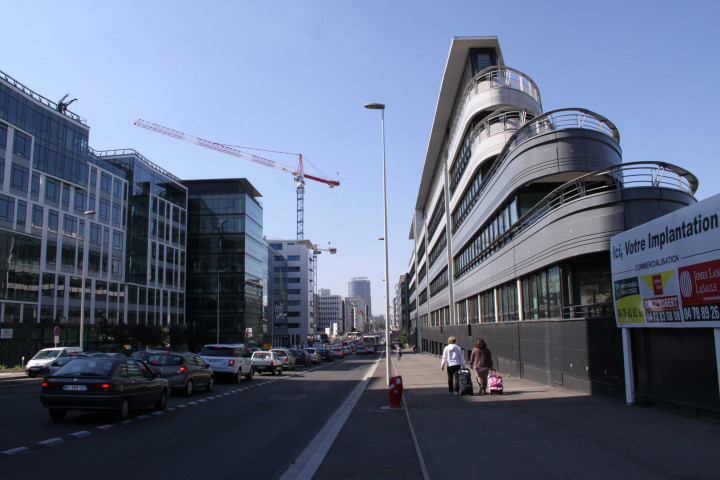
[{"x": 293, "y": 76}]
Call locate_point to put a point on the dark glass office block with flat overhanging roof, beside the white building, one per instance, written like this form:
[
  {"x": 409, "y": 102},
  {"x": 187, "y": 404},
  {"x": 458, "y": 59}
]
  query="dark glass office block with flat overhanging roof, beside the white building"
[{"x": 227, "y": 263}]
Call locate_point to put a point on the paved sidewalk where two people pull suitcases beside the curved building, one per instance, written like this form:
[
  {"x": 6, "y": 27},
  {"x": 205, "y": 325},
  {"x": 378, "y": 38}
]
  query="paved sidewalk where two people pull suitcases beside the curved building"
[{"x": 531, "y": 431}]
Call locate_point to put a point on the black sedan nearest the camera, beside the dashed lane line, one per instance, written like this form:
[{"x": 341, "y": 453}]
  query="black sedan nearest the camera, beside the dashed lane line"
[{"x": 102, "y": 383}]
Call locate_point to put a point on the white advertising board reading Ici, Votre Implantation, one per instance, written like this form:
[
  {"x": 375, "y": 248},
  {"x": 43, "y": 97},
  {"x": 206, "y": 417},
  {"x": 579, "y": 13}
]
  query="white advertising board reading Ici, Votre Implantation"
[{"x": 666, "y": 273}]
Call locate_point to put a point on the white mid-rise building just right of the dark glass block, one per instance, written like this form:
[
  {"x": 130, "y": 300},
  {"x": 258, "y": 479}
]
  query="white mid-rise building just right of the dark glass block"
[{"x": 300, "y": 288}]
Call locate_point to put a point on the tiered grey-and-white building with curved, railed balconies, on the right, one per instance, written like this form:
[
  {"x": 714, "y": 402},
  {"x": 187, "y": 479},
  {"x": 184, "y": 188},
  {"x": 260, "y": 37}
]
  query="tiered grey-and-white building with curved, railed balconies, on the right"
[{"x": 513, "y": 218}]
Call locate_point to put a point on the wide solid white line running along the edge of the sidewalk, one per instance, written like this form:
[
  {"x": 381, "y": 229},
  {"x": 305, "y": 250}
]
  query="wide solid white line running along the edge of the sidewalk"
[{"x": 310, "y": 459}]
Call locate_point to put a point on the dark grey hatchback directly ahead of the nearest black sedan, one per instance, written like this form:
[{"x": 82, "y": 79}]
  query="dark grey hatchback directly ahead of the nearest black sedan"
[{"x": 184, "y": 371}]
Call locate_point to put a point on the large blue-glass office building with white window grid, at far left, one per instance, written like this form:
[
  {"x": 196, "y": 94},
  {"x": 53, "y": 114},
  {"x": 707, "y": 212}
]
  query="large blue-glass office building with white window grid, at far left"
[{"x": 68, "y": 213}]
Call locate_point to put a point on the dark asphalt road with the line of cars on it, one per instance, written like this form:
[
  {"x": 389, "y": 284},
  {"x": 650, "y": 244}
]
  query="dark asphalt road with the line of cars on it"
[{"x": 254, "y": 429}]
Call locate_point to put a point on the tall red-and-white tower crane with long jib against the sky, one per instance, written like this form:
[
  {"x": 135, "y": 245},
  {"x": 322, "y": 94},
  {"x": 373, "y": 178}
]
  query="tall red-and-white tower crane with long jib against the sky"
[{"x": 298, "y": 173}]
